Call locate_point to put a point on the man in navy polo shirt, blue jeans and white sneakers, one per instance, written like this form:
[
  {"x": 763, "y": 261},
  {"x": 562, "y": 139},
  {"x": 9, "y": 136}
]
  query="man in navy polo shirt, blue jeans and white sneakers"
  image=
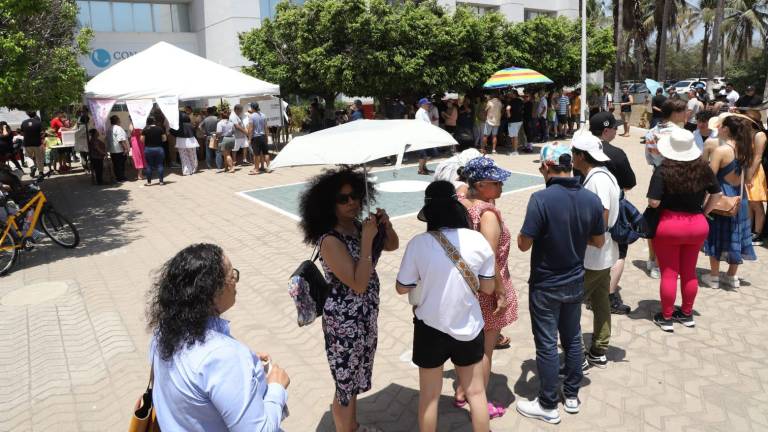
[{"x": 560, "y": 222}]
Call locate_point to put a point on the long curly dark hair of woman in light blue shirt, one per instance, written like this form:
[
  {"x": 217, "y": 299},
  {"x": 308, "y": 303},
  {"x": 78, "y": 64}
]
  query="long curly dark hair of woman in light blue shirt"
[{"x": 181, "y": 299}]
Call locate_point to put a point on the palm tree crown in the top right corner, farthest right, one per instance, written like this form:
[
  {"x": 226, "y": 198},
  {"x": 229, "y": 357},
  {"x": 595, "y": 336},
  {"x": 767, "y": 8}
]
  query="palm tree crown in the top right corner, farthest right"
[{"x": 742, "y": 19}]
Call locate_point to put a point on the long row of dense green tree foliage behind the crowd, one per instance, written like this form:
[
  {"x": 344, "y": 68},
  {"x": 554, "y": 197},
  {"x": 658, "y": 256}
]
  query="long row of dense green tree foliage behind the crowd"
[{"x": 374, "y": 48}]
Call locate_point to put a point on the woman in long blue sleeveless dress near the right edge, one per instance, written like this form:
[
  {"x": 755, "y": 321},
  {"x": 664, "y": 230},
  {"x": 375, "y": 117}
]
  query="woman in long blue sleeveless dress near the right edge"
[{"x": 730, "y": 237}]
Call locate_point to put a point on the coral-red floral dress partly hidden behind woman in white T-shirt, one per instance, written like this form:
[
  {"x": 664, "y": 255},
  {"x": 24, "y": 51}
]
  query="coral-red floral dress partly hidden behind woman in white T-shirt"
[{"x": 488, "y": 302}]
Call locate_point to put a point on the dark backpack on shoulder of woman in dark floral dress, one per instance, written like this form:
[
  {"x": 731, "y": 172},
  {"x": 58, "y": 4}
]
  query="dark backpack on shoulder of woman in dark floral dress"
[{"x": 308, "y": 289}]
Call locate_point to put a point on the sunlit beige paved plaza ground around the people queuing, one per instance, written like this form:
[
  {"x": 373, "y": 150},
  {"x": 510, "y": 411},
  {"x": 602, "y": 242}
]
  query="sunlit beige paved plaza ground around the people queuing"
[{"x": 73, "y": 342}]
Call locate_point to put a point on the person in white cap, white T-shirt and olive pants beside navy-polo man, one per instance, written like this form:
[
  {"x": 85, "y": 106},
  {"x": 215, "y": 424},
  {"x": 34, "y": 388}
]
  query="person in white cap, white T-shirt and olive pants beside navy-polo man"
[{"x": 589, "y": 158}]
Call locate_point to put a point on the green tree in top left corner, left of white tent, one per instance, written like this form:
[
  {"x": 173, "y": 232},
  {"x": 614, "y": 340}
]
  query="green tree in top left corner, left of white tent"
[{"x": 40, "y": 43}]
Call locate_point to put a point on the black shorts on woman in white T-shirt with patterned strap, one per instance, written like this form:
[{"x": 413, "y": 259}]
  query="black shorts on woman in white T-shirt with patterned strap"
[{"x": 431, "y": 347}]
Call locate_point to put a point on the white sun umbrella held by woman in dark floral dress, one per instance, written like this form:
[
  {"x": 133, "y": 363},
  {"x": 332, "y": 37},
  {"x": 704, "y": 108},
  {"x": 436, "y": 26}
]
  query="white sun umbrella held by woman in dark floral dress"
[{"x": 361, "y": 142}]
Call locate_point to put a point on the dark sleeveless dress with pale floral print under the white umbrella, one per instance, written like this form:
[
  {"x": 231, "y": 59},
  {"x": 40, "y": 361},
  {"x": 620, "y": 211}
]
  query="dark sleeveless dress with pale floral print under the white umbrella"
[{"x": 350, "y": 326}]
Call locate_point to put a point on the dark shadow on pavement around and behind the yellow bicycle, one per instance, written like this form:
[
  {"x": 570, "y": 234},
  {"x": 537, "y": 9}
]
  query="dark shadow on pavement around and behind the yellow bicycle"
[{"x": 102, "y": 219}]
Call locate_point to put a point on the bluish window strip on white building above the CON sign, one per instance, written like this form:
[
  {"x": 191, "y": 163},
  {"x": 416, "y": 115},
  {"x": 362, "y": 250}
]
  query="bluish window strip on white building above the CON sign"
[{"x": 108, "y": 16}]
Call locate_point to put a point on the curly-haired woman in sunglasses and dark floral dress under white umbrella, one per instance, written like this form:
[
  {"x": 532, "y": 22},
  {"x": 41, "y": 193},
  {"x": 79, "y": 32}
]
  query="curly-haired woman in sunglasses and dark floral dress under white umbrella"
[{"x": 330, "y": 211}]
